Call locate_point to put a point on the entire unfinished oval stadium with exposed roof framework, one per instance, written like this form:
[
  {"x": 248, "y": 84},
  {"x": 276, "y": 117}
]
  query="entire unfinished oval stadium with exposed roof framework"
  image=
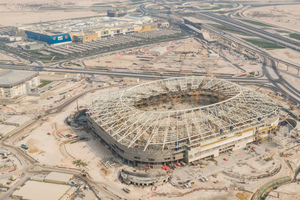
[{"x": 181, "y": 119}]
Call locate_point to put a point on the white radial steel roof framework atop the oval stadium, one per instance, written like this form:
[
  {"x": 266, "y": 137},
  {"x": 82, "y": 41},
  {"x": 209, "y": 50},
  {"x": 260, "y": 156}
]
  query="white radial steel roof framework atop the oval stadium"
[{"x": 190, "y": 110}]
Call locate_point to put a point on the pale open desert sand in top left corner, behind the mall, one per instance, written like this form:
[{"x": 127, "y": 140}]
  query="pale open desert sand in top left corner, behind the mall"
[{"x": 16, "y": 12}]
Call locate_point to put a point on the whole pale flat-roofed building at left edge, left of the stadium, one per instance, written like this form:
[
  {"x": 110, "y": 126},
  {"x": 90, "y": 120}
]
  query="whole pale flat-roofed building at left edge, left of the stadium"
[{"x": 16, "y": 83}]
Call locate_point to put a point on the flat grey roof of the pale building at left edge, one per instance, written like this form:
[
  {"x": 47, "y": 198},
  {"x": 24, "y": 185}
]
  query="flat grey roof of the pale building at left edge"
[{"x": 9, "y": 78}]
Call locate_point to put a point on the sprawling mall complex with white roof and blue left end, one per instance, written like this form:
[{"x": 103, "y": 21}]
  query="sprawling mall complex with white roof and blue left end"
[{"x": 88, "y": 29}]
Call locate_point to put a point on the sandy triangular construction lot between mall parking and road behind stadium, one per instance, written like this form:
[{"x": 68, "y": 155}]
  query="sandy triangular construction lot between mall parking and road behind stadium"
[{"x": 186, "y": 56}]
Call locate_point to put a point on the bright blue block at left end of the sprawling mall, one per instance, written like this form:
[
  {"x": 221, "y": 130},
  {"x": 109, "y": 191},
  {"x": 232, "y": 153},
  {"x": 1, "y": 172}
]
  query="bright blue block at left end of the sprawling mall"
[{"x": 49, "y": 37}]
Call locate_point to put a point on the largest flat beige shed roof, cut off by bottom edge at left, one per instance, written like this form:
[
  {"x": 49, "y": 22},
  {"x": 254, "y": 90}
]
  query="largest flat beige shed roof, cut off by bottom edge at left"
[{"x": 33, "y": 190}]
